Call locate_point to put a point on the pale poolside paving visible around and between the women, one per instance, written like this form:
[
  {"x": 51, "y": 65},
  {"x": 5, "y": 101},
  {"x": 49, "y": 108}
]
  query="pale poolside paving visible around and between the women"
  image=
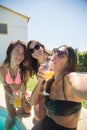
[{"x": 28, "y": 121}]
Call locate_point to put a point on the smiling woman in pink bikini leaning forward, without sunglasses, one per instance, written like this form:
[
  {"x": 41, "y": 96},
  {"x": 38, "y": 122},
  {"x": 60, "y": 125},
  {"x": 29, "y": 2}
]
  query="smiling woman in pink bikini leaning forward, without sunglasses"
[{"x": 14, "y": 75}]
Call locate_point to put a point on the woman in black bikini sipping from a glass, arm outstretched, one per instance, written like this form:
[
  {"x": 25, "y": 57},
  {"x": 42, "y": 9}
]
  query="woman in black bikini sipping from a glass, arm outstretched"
[{"x": 65, "y": 92}]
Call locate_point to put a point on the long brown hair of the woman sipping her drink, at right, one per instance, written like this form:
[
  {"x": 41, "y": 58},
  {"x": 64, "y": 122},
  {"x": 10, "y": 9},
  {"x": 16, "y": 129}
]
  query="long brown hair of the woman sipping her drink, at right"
[{"x": 72, "y": 58}]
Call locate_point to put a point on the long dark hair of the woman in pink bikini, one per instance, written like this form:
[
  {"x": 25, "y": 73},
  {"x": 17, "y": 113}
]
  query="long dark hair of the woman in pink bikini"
[{"x": 10, "y": 48}]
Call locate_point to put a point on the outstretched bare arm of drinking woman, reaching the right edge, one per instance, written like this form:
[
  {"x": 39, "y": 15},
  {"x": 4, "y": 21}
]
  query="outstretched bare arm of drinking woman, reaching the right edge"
[{"x": 79, "y": 84}]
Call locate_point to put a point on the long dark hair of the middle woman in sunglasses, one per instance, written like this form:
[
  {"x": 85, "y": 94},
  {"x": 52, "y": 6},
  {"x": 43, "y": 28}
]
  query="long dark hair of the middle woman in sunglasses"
[{"x": 34, "y": 62}]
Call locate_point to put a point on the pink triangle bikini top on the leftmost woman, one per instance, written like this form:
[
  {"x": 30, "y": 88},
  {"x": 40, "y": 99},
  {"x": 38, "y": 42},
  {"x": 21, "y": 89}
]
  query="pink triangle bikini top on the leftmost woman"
[{"x": 9, "y": 79}]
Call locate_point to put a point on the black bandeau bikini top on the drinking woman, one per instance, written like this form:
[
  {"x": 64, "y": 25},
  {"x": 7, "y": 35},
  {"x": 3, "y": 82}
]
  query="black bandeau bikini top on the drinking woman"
[{"x": 63, "y": 107}]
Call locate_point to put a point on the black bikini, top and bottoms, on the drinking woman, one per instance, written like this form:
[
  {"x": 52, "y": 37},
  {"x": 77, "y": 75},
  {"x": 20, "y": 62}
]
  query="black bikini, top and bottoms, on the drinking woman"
[{"x": 61, "y": 108}]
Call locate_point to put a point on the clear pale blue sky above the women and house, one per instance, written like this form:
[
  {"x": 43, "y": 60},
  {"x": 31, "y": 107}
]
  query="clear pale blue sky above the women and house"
[{"x": 54, "y": 22}]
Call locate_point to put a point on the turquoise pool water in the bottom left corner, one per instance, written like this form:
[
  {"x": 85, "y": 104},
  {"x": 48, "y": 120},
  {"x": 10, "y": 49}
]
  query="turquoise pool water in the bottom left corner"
[{"x": 3, "y": 115}]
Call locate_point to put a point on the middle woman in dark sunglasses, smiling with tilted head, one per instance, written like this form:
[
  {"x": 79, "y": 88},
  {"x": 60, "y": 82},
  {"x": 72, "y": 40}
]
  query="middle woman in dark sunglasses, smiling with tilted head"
[{"x": 37, "y": 55}]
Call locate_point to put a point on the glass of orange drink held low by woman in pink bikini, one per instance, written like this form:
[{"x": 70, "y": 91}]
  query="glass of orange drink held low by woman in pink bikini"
[{"x": 17, "y": 95}]
